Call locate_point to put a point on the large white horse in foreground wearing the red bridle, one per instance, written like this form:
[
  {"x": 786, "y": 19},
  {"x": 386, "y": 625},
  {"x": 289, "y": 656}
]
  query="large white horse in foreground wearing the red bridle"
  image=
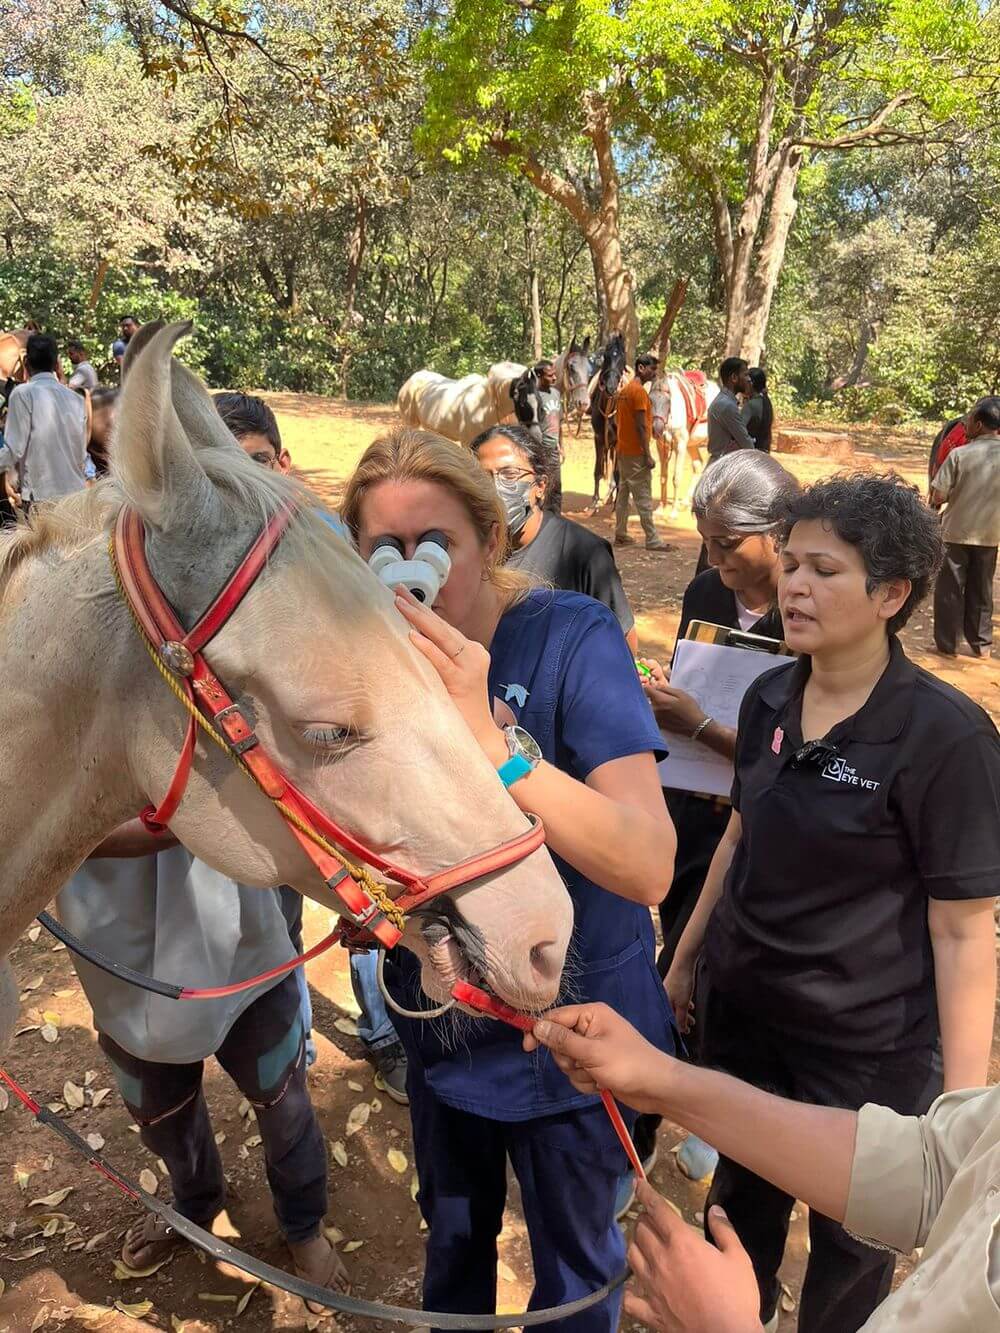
[{"x": 317, "y": 654}]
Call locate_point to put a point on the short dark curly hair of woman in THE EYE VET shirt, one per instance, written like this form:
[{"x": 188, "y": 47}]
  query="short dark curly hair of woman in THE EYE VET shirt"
[{"x": 885, "y": 519}]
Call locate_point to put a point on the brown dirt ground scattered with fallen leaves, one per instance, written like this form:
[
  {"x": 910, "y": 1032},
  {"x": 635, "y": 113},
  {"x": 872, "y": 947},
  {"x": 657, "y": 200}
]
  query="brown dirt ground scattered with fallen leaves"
[{"x": 67, "y": 1279}]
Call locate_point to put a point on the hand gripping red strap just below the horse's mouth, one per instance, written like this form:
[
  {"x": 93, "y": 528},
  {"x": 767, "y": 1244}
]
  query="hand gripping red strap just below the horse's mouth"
[{"x": 599, "y": 1050}]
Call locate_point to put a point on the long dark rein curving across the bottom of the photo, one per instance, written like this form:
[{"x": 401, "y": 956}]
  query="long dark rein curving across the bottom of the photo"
[{"x": 226, "y": 1254}]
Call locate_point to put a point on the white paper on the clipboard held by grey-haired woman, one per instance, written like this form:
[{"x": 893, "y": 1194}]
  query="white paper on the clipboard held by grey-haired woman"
[{"x": 718, "y": 678}]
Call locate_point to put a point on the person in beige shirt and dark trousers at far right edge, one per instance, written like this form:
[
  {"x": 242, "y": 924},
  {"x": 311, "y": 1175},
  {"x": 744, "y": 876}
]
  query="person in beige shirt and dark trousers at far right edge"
[{"x": 969, "y": 482}]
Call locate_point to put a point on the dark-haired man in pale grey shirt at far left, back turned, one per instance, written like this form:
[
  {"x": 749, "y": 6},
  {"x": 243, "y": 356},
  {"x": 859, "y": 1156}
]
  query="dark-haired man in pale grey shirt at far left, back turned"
[{"x": 46, "y": 431}]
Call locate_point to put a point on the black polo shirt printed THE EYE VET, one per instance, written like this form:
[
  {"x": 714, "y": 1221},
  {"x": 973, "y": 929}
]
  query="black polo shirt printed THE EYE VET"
[{"x": 822, "y": 928}]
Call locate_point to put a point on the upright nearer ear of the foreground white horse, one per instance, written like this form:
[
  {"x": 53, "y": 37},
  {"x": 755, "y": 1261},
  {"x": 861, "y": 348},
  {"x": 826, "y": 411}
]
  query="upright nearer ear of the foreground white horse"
[{"x": 153, "y": 459}]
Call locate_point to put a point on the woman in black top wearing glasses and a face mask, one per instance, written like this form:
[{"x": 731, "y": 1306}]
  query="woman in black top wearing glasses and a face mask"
[{"x": 555, "y": 550}]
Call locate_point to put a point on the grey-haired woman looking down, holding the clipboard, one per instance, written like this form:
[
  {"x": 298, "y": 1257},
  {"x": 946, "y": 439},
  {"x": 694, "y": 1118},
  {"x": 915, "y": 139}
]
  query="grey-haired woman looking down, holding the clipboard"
[{"x": 734, "y": 506}]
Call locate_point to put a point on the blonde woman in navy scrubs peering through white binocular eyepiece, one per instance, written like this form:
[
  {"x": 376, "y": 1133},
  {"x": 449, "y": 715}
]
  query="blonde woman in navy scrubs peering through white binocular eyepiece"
[{"x": 549, "y": 687}]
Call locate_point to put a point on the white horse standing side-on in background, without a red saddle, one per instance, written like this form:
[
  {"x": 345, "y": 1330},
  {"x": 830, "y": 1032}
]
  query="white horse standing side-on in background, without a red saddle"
[{"x": 461, "y": 410}]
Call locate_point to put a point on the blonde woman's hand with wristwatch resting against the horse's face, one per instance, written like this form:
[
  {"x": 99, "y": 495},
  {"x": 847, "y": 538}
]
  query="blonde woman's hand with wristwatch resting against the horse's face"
[{"x": 463, "y": 666}]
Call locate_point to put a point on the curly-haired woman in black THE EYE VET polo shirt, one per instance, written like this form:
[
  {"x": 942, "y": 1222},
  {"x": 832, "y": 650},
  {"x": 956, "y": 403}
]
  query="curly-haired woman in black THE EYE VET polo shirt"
[{"x": 854, "y": 887}]
